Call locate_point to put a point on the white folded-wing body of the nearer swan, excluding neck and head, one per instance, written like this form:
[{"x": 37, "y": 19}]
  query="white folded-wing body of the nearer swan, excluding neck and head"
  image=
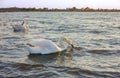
[{"x": 43, "y": 46}]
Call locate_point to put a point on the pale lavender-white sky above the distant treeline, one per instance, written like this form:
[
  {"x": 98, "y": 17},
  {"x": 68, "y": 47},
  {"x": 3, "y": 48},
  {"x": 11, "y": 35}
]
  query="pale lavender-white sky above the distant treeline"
[{"x": 105, "y": 4}]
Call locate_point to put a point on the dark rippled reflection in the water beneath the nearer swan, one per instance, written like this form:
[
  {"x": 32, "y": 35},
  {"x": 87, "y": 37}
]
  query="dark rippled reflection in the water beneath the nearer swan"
[{"x": 59, "y": 58}]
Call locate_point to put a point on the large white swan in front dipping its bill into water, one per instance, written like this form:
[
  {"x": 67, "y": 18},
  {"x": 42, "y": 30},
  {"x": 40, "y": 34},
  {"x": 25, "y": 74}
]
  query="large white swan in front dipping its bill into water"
[{"x": 44, "y": 46}]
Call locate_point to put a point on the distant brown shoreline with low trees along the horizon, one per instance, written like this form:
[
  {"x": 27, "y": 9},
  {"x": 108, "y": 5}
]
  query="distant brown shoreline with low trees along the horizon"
[{"x": 73, "y": 9}]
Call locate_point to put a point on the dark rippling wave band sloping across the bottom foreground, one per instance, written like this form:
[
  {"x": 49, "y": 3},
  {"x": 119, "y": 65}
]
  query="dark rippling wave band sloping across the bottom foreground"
[{"x": 18, "y": 70}]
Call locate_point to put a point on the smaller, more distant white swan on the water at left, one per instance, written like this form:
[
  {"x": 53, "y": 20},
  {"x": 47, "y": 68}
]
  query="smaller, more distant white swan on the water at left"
[{"x": 21, "y": 27}]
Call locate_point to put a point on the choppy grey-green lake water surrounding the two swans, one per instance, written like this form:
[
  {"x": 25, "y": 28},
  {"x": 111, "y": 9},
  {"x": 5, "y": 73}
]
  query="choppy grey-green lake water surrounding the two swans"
[{"x": 96, "y": 36}]
